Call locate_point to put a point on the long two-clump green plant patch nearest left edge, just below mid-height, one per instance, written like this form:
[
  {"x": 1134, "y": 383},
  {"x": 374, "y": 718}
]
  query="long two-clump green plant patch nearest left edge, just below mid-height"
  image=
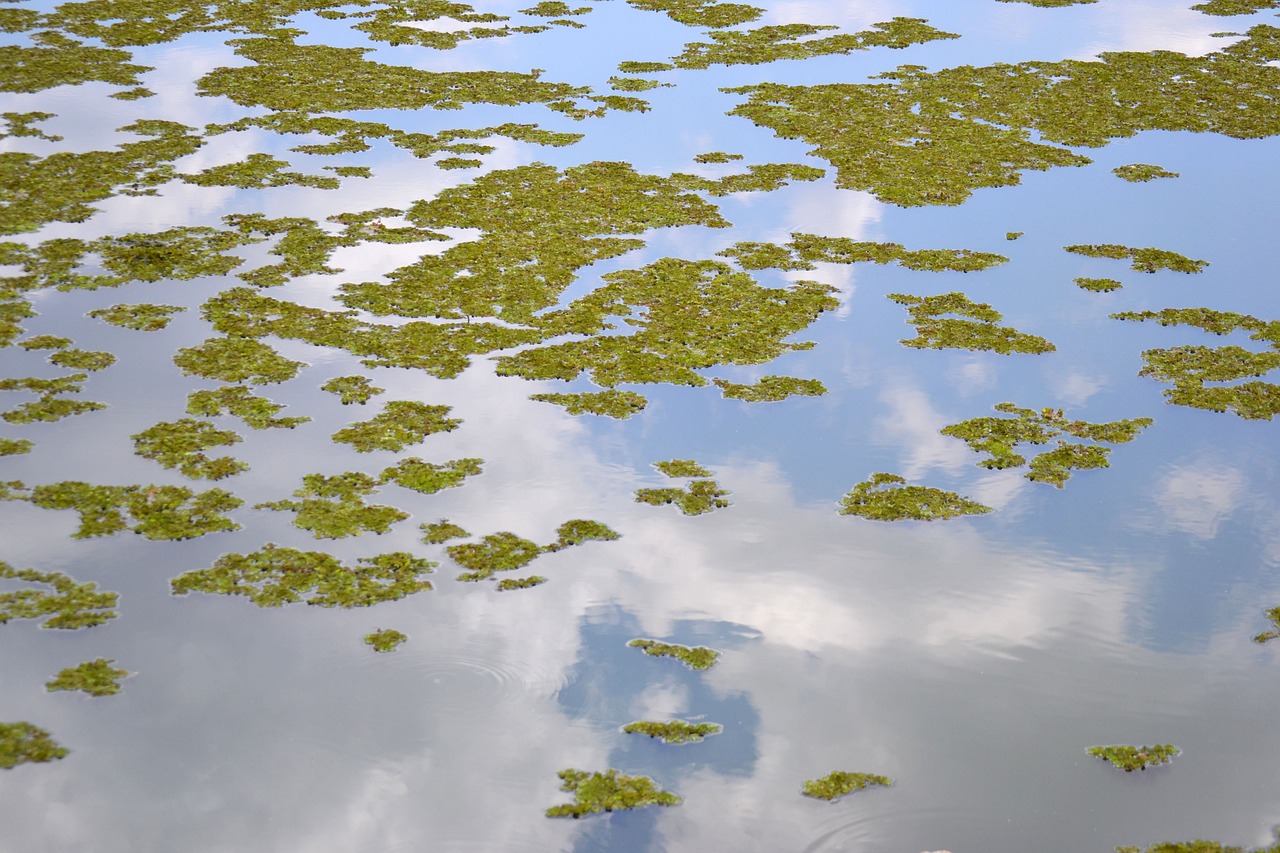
[{"x": 154, "y": 512}]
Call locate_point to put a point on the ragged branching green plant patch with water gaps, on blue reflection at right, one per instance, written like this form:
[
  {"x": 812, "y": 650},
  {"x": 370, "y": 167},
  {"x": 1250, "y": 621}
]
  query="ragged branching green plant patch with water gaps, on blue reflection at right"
[{"x": 999, "y": 439}]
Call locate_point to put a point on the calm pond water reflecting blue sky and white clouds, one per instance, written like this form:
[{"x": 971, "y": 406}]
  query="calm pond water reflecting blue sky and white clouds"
[{"x": 971, "y": 660}]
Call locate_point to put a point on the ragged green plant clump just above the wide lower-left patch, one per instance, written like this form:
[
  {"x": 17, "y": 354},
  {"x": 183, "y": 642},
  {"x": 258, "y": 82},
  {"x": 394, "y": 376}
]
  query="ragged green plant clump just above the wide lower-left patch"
[{"x": 333, "y": 508}]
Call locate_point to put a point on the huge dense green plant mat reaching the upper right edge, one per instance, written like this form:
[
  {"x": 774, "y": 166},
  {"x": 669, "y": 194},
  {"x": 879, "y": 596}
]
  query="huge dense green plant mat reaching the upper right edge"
[{"x": 934, "y": 138}]
